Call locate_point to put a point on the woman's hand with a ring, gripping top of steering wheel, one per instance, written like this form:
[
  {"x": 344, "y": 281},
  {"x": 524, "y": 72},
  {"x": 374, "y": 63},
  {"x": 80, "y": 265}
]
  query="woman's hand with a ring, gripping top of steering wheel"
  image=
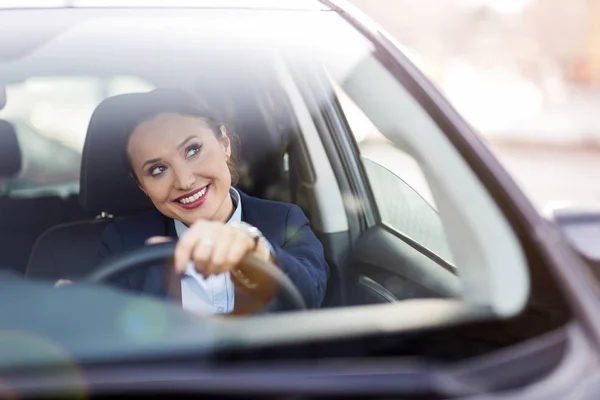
[{"x": 214, "y": 248}]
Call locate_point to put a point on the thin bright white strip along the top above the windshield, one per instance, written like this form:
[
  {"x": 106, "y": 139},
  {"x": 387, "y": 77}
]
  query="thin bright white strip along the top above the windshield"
[{"x": 233, "y": 4}]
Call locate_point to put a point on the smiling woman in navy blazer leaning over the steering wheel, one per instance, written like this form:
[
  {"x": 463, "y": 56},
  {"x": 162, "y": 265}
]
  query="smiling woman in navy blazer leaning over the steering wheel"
[{"x": 179, "y": 152}]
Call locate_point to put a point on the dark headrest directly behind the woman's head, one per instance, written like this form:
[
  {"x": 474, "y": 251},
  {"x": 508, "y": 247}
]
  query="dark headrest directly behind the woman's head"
[{"x": 105, "y": 183}]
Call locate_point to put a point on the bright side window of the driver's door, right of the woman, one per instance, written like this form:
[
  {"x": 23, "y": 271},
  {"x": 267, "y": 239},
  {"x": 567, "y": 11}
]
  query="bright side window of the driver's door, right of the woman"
[{"x": 402, "y": 195}]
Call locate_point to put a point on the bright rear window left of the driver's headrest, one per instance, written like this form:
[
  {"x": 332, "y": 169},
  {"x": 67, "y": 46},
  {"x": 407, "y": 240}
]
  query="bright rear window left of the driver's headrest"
[{"x": 50, "y": 115}]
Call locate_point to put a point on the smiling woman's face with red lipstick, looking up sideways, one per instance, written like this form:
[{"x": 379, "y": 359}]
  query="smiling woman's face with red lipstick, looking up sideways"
[{"x": 181, "y": 165}]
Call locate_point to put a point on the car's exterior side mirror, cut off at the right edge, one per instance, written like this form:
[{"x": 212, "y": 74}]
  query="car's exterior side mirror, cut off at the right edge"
[{"x": 581, "y": 227}]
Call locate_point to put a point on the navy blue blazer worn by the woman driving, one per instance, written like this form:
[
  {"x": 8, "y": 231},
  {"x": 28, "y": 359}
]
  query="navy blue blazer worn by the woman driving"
[{"x": 297, "y": 250}]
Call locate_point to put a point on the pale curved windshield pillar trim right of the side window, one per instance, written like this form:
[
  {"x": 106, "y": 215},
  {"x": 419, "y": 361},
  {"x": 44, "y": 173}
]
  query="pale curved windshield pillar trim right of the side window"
[{"x": 497, "y": 273}]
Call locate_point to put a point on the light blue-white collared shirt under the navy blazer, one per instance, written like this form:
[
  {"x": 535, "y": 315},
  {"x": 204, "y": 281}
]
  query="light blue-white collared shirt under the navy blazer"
[{"x": 215, "y": 294}]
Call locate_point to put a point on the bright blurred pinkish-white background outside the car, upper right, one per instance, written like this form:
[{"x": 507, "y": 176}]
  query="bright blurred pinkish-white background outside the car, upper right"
[{"x": 524, "y": 73}]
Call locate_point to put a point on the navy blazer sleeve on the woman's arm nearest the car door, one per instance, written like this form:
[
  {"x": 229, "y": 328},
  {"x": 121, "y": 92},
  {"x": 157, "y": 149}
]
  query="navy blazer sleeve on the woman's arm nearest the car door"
[{"x": 302, "y": 258}]
